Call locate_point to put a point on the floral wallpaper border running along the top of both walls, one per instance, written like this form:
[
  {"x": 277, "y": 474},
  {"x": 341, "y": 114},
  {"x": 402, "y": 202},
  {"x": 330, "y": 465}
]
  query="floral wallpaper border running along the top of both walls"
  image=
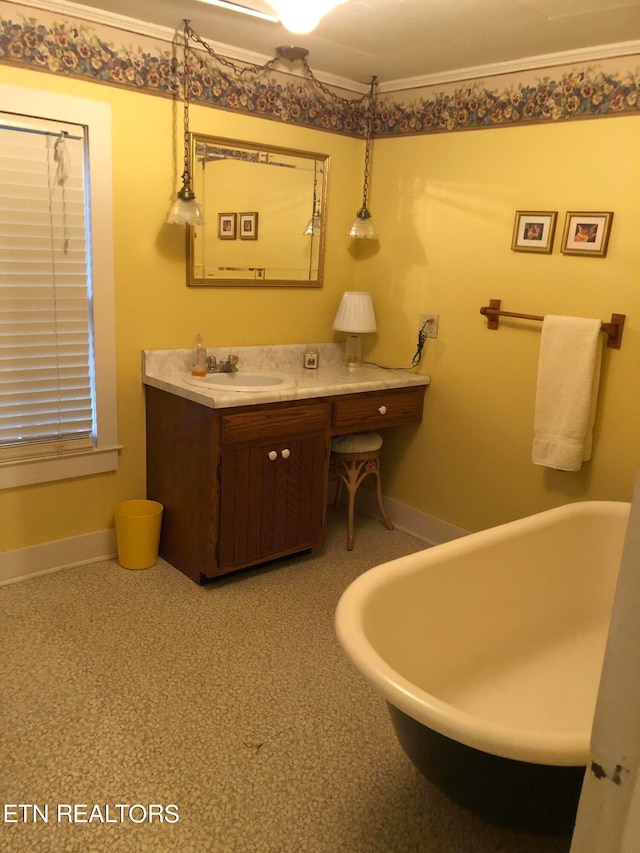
[{"x": 76, "y": 48}]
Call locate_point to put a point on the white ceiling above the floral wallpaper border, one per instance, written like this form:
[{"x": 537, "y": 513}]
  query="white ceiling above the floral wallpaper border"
[{"x": 399, "y": 40}]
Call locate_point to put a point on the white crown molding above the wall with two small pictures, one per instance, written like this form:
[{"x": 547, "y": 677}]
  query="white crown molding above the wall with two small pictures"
[{"x": 529, "y": 63}]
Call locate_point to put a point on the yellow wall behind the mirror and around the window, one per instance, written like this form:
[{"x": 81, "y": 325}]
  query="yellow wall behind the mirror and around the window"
[{"x": 154, "y": 308}]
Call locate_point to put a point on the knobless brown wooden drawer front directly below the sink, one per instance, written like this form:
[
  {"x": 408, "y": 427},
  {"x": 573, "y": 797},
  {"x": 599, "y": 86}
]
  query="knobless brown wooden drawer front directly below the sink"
[{"x": 275, "y": 423}]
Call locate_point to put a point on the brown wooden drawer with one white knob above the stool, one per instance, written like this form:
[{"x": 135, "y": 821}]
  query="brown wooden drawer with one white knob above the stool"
[{"x": 375, "y": 410}]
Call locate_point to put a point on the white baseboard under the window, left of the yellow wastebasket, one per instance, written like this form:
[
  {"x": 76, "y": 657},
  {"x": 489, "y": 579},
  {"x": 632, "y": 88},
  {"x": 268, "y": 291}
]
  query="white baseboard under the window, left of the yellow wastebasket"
[{"x": 23, "y": 563}]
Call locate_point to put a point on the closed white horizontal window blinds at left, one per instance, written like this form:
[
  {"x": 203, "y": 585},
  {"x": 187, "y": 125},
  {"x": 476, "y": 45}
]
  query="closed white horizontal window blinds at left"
[{"x": 46, "y": 362}]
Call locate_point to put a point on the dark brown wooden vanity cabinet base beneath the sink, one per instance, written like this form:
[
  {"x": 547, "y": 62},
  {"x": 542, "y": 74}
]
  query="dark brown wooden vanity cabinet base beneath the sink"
[{"x": 239, "y": 486}]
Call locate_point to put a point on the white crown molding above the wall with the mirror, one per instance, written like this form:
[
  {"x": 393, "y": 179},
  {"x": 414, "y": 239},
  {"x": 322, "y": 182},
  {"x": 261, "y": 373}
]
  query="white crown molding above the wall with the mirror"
[{"x": 154, "y": 31}]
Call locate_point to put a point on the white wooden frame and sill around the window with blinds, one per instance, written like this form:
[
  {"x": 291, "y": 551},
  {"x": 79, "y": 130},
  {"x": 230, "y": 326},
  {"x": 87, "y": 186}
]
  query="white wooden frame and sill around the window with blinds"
[{"x": 96, "y": 117}]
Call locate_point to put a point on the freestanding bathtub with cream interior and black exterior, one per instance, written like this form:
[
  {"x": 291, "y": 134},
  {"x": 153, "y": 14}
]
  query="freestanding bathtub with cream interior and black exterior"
[{"x": 488, "y": 651}]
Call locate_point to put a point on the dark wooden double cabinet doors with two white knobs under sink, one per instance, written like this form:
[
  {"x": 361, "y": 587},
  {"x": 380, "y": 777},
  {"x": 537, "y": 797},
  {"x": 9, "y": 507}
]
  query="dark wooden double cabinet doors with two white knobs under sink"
[{"x": 272, "y": 497}]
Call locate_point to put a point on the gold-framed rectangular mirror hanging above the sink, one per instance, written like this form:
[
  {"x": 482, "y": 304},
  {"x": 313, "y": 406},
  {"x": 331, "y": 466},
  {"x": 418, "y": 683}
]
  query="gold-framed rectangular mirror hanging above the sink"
[{"x": 264, "y": 210}]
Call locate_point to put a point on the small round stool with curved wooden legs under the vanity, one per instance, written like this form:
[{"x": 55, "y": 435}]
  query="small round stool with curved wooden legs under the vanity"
[{"x": 353, "y": 457}]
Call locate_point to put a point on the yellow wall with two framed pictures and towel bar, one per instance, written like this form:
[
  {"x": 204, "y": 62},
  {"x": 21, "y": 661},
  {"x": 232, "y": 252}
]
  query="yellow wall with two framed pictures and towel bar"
[{"x": 444, "y": 207}]
